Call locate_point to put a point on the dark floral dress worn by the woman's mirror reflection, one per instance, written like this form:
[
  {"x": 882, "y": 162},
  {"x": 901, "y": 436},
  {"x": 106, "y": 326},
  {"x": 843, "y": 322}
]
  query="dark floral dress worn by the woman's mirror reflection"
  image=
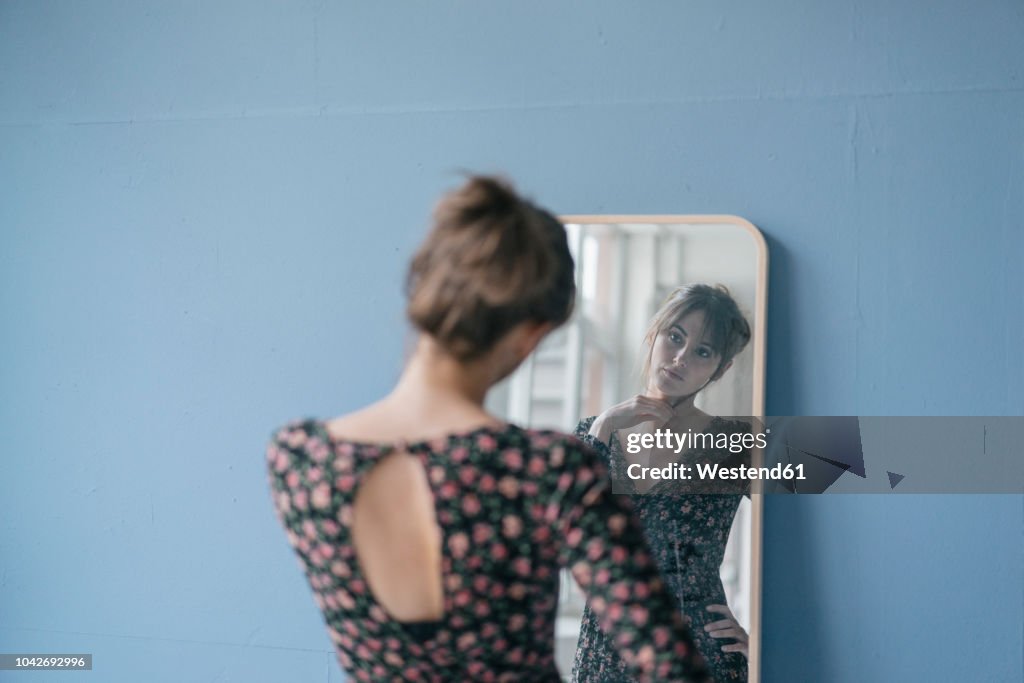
[{"x": 688, "y": 531}]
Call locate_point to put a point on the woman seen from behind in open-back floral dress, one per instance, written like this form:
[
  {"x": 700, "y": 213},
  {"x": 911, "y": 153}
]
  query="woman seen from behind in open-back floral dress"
[{"x": 432, "y": 532}]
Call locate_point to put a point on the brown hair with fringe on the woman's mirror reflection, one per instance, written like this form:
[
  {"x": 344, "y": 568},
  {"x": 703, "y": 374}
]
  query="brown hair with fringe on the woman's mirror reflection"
[{"x": 724, "y": 324}]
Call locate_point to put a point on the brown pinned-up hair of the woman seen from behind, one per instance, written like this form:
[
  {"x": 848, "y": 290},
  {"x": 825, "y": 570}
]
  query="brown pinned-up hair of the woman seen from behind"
[{"x": 491, "y": 262}]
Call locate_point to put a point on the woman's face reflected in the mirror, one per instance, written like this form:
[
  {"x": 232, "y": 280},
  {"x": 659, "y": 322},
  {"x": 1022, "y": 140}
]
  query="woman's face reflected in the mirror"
[{"x": 682, "y": 360}]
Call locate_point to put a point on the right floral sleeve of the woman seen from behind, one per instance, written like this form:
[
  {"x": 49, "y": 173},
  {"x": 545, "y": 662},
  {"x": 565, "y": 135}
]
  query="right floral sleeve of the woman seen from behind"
[{"x": 606, "y": 549}]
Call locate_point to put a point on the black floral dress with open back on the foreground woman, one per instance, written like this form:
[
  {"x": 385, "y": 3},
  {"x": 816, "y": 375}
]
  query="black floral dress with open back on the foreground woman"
[{"x": 515, "y": 506}]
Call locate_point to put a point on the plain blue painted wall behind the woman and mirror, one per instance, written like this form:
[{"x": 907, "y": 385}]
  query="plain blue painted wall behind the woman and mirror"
[{"x": 206, "y": 208}]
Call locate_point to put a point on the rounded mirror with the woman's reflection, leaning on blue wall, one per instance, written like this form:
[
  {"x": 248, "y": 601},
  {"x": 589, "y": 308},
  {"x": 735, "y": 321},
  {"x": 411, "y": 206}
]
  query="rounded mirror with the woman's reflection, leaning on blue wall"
[{"x": 590, "y": 378}]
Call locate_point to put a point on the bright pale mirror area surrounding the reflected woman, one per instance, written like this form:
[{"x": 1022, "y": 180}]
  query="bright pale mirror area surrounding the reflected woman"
[{"x": 626, "y": 267}]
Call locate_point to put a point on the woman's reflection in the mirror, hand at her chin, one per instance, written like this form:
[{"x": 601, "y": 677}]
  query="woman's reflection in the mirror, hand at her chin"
[{"x": 692, "y": 343}]
